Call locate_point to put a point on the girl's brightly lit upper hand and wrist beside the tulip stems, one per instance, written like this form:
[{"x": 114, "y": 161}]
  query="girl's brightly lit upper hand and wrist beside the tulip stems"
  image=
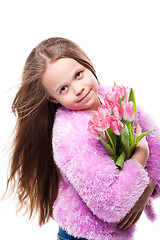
[{"x": 142, "y": 151}]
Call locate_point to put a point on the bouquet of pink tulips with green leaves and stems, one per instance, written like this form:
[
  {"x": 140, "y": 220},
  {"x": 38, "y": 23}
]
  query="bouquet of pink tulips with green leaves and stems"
[{"x": 113, "y": 124}]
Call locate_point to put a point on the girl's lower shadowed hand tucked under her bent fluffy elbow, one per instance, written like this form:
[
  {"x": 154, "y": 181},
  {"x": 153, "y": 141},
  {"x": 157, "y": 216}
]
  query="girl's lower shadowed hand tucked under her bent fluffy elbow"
[{"x": 135, "y": 213}]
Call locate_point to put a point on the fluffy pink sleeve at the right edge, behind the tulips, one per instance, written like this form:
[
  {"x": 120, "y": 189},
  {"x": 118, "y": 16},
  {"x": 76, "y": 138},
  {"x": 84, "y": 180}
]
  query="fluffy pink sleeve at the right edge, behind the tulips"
[{"x": 153, "y": 162}]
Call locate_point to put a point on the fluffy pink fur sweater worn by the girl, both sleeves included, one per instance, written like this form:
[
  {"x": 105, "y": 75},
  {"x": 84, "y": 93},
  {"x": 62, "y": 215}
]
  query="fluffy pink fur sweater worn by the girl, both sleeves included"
[{"x": 93, "y": 194}]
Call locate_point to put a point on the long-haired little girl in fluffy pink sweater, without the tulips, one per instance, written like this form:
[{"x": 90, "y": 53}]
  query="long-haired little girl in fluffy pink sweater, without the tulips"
[{"x": 58, "y": 169}]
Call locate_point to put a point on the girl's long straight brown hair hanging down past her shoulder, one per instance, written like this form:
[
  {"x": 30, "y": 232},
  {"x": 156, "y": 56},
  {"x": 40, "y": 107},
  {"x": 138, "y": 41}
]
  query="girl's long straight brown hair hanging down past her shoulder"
[{"x": 33, "y": 173}]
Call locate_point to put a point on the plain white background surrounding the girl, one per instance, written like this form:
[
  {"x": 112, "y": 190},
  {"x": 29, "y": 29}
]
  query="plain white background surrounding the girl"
[{"x": 122, "y": 38}]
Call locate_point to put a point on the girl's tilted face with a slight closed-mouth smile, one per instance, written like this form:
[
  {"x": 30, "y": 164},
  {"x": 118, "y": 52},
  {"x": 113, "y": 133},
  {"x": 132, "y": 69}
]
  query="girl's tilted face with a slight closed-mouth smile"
[{"x": 71, "y": 84}]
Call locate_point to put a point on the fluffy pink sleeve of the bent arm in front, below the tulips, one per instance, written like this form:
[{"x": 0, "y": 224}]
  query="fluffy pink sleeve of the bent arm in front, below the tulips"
[{"x": 82, "y": 160}]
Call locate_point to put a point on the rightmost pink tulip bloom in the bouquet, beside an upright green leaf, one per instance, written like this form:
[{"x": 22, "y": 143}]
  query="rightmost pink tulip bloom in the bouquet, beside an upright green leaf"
[{"x": 127, "y": 111}]
